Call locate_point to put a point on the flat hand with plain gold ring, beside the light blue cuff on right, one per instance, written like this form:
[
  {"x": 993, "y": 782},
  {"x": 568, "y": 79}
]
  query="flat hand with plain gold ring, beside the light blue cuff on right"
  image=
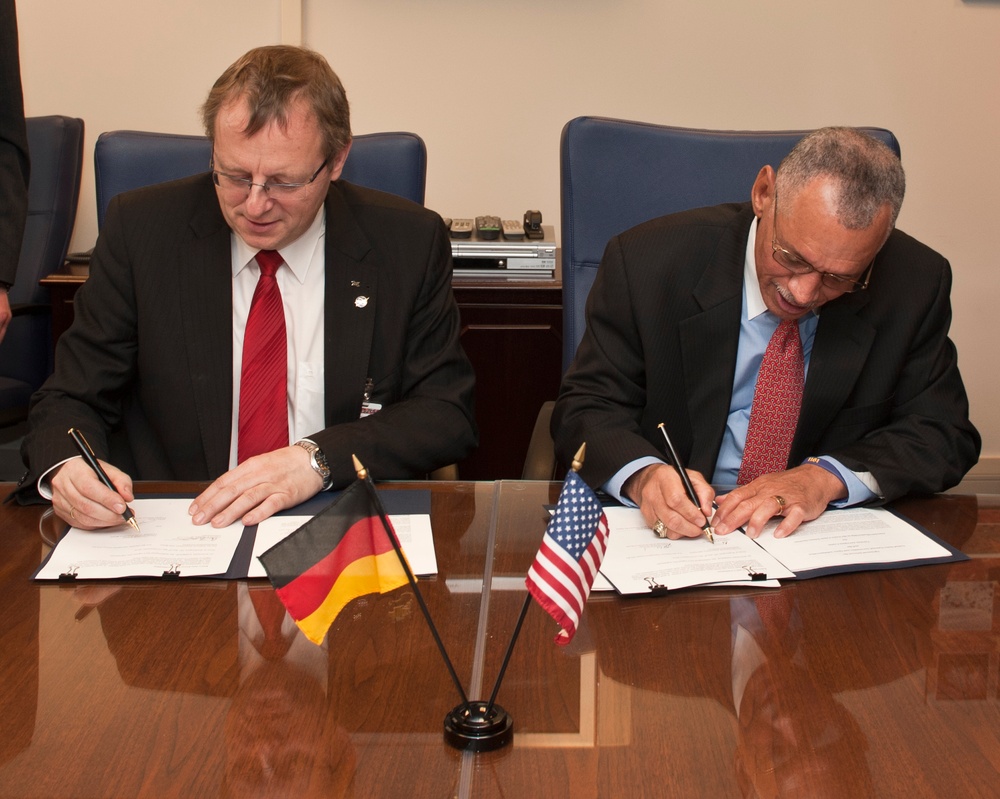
[{"x": 798, "y": 495}]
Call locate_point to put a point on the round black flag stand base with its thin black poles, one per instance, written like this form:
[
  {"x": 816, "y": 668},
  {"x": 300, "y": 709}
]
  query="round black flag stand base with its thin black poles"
[{"x": 477, "y": 726}]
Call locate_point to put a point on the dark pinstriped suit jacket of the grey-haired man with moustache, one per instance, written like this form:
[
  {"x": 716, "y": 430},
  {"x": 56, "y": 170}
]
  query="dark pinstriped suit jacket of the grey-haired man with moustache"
[{"x": 883, "y": 392}]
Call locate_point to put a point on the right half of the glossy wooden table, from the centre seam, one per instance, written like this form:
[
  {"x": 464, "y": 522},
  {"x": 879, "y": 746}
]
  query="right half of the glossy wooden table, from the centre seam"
[{"x": 876, "y": 684}]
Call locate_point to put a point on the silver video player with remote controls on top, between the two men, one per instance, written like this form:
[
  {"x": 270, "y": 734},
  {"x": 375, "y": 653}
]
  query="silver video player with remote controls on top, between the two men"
[{"x": 494, "y": 248}]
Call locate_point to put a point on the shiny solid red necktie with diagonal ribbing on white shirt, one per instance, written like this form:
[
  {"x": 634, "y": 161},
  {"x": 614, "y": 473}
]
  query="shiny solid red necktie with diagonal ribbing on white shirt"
[{"x": 263, "y": 423}]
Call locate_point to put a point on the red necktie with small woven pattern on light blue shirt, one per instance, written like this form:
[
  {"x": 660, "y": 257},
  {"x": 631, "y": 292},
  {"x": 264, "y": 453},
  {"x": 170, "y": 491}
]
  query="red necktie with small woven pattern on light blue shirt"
[{"x": 776, "y": 403}]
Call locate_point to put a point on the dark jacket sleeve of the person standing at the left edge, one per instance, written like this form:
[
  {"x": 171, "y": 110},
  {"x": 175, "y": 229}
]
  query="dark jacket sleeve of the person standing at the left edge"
[{"x": 13, "y": 146}]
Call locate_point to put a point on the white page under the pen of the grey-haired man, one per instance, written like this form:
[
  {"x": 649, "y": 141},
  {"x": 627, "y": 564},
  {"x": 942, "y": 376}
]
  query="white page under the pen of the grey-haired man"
[{"x": 637, "y": 561}]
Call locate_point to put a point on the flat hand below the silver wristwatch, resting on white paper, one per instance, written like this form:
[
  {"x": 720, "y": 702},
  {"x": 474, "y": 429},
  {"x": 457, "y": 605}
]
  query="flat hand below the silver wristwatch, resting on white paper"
[{"x": 257, "y": 489}]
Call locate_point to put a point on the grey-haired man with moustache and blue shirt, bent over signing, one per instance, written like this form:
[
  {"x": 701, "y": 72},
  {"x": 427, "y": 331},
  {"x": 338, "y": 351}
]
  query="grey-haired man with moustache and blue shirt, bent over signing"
[{"x": 797, "y": 352}]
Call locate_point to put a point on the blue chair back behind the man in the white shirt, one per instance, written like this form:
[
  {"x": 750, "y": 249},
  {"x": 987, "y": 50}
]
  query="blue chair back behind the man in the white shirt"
[{"x": 130, "y": 159}]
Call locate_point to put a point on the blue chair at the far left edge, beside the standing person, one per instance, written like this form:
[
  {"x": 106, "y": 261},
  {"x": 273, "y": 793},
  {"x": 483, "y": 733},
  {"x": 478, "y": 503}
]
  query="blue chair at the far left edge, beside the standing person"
[{"x": 55, "y": 145}]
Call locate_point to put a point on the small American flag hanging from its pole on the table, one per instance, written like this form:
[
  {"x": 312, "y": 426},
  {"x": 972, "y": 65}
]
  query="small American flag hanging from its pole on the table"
[{"x": 570, "y": 556}]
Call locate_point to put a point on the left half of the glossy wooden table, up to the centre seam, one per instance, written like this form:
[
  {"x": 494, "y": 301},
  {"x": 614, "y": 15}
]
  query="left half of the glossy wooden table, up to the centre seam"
[{"x": 145, "y": 689}]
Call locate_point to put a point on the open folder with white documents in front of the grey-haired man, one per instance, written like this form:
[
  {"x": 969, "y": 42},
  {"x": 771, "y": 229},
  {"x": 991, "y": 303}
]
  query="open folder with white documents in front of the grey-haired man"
[{"x": 848, "y": 540}]
